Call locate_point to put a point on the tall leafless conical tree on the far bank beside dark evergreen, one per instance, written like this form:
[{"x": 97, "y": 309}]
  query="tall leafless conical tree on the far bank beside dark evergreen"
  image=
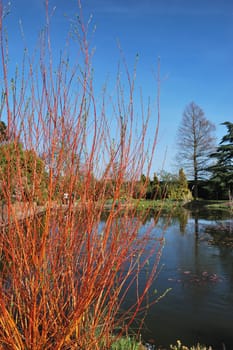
[{"x": 195, "y": 143}]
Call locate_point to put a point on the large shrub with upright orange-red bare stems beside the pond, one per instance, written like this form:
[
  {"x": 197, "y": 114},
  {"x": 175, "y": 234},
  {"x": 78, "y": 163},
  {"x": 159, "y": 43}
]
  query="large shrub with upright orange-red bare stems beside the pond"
[{"x": 65, "y": 274}]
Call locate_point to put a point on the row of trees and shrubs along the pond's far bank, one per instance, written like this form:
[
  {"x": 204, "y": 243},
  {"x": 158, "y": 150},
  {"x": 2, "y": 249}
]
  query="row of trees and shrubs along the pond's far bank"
[{"x": 212, "y": 171}]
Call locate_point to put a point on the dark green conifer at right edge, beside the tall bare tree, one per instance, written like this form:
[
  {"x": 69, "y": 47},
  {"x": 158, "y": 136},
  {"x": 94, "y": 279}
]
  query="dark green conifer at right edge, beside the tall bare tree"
[{"x": 221, "y": 181}]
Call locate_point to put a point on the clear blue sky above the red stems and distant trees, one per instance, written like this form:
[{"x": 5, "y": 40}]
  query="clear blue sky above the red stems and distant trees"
[{"x": 193, "y": 38}]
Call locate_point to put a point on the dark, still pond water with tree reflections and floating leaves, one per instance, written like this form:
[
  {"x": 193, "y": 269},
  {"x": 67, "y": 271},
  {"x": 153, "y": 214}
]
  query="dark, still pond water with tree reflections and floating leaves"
[{"x": 199, "y": 306}]
